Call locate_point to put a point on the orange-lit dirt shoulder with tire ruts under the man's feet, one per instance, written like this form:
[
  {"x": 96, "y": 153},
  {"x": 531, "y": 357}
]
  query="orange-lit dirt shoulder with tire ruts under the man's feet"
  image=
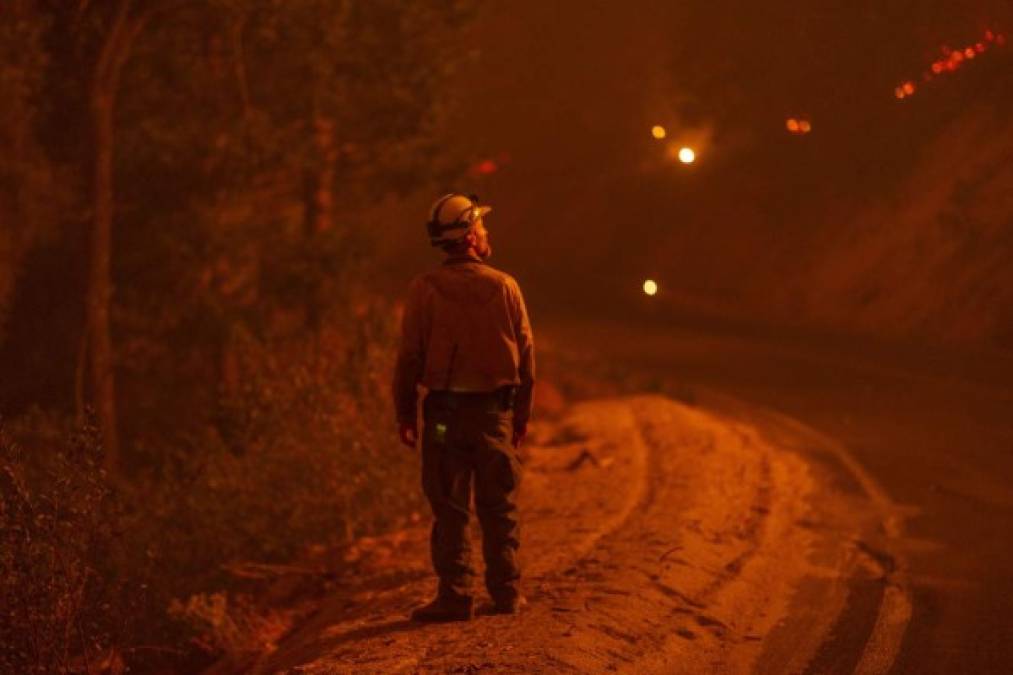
[{"x": 658, "y": 539}]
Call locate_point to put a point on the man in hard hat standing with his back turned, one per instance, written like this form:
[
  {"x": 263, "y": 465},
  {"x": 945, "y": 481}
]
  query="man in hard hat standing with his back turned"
[{"x": 466, "y": 338}]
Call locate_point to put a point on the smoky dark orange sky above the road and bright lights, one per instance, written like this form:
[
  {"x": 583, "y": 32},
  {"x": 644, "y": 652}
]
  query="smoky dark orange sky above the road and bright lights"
[{"x": 564, "y": 95}]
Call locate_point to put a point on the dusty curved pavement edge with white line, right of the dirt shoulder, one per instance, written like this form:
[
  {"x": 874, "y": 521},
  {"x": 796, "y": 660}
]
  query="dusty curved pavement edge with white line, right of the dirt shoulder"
[{"x": 869, "y": 589}]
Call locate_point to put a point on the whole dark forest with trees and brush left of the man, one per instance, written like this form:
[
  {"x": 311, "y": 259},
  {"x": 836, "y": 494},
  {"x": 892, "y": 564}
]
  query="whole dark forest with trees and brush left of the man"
[{"x": 195, "y": 368}]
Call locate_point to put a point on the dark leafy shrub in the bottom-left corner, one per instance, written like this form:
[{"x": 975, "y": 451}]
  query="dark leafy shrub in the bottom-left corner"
[{"x": 55, "y": 515}]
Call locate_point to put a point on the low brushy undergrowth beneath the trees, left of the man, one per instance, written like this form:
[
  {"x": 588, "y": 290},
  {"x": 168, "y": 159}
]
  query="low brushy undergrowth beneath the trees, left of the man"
[{"x": 303, "y": 464}]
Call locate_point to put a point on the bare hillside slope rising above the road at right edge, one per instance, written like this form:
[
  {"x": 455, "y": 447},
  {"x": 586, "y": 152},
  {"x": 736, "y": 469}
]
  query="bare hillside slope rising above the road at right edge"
[{"x": 933, "y": 261}]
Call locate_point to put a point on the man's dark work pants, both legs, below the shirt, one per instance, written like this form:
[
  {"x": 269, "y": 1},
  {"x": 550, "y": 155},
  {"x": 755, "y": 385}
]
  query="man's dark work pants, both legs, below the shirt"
[{"x": 467, "y": 442}]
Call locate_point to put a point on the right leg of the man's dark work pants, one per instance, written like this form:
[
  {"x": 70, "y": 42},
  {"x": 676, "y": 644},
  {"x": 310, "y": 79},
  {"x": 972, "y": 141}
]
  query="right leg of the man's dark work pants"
[{"x": 498, "y": 480}]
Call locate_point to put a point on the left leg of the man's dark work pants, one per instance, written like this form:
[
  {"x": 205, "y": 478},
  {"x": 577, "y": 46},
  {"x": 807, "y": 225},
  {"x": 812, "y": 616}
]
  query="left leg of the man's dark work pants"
[{"x": 447, "y": 474}]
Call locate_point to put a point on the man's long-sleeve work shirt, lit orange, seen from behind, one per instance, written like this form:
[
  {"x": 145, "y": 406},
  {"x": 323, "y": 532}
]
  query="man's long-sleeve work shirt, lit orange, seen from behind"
[{"x": 465, "y": 329}]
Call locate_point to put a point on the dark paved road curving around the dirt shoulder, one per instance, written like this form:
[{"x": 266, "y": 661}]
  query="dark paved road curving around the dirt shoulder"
[{"x": 927, "y": 429}]
